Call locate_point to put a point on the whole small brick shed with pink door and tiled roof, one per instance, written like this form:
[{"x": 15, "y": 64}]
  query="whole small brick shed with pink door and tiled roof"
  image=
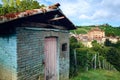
[{"x": 34, "y": 45}]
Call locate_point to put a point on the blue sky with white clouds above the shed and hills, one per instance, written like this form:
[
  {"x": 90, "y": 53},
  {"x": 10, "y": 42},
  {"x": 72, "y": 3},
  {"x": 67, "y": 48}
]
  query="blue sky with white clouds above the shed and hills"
[{"x": 89, "y": 12}]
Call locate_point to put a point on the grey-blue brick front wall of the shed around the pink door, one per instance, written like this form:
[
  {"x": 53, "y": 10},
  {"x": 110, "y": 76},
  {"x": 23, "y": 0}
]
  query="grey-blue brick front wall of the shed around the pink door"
[{"x": 30, "y": 49}]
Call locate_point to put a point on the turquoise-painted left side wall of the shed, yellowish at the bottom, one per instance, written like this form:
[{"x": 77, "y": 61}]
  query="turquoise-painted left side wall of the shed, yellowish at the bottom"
[{"x": 8, "y": 58}]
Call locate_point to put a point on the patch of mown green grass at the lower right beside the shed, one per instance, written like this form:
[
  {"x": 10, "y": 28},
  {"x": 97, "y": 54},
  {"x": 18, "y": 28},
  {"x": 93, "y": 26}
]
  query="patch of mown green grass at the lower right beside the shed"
[{"x": 98, "y": 75}]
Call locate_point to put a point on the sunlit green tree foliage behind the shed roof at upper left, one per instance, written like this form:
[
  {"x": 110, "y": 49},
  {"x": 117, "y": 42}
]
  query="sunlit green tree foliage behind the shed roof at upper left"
[{"x": 12, "y": 6}]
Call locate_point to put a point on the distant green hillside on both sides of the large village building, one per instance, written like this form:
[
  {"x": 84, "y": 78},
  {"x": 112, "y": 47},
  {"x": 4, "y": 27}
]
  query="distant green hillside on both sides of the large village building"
[{"x": 109, "y": 30}]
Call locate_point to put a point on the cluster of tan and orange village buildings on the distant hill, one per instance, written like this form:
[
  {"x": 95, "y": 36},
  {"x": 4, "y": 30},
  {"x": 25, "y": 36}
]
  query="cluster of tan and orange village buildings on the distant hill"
[{"x": 94, "y": 34}]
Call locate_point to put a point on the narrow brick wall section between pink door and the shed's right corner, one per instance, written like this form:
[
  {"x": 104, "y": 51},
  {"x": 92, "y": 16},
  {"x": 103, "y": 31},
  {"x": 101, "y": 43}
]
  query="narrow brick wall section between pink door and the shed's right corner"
[{"x": 64, "y": 58}]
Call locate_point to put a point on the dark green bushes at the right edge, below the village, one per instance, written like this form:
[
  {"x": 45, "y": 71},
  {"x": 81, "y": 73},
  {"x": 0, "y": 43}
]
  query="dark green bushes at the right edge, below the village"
[{"x": 113, "y": 54}]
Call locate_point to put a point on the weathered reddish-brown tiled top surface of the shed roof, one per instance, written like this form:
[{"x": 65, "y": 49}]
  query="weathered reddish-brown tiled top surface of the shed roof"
[{"x": 13, "y": 16}]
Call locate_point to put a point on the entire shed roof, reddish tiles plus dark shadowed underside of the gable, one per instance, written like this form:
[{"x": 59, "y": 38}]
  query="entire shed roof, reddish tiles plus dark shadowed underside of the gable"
[{"x": 48, "y": 15}]
